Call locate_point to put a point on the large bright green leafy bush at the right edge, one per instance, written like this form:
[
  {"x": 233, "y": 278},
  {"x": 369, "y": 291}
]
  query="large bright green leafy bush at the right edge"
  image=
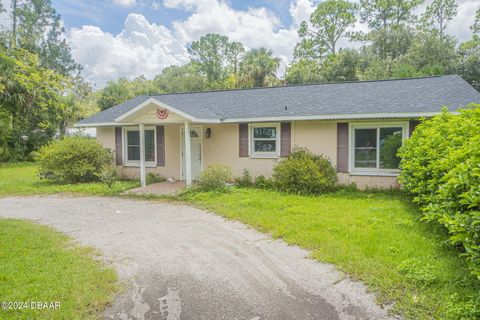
[{"x": 441, "y": 169}]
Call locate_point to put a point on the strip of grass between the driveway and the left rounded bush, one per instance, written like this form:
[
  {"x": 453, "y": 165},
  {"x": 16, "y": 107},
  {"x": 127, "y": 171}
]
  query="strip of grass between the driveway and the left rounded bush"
[{"x": 22, "y": 179}]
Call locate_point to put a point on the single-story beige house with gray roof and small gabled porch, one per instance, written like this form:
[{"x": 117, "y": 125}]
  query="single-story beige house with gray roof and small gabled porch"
[{"x": 357, "y": 125}]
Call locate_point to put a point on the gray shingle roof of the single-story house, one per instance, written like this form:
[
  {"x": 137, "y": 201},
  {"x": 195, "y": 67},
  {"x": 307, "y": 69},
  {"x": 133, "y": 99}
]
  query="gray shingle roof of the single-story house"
[{"x": 408, "y": 96}]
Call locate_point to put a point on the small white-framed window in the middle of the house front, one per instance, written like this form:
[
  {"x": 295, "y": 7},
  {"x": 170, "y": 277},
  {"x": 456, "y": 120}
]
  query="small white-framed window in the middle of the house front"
[{"x": 264, "y": 140}]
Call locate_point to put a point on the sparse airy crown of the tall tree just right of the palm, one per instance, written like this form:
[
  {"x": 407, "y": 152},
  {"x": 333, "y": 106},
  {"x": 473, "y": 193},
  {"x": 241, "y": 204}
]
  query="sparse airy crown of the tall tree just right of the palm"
[{"x": 328, "y": 24}]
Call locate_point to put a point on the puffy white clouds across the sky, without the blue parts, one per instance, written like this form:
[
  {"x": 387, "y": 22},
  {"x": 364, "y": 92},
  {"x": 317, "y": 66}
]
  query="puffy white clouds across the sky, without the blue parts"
[{"x": 144, "y": 48}]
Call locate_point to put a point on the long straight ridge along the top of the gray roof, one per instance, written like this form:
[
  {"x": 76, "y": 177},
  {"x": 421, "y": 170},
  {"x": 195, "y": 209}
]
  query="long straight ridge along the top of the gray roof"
[{"x": 301, "y": 85}]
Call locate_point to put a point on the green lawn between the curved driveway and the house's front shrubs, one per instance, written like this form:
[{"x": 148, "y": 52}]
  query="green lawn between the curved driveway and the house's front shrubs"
[{"x": 374, "y": 237}]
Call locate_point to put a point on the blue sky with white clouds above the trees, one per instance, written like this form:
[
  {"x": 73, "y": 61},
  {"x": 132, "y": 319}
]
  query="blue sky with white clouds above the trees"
[{"x": 129, "y": 38}]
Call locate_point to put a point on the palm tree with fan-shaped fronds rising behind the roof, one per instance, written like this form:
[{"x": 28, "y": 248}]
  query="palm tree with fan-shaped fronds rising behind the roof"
[{"x": 258, "y": 64}]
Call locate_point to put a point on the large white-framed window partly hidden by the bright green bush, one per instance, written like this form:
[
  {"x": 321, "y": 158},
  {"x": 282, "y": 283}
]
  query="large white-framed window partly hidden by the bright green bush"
[{"x": 373, "y": 147}]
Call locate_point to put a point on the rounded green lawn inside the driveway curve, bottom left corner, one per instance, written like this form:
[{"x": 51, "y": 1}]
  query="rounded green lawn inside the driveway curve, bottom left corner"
[{"x": 39, "y": 264}]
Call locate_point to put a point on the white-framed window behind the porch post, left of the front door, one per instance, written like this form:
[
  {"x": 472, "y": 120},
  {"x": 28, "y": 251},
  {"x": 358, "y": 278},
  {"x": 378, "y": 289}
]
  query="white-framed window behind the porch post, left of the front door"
[{"x": 131, "y": 143}]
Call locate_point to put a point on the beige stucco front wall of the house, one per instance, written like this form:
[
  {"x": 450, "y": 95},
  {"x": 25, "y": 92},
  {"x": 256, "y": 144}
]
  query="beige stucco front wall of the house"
[{"x": 223, "y": 148}]
